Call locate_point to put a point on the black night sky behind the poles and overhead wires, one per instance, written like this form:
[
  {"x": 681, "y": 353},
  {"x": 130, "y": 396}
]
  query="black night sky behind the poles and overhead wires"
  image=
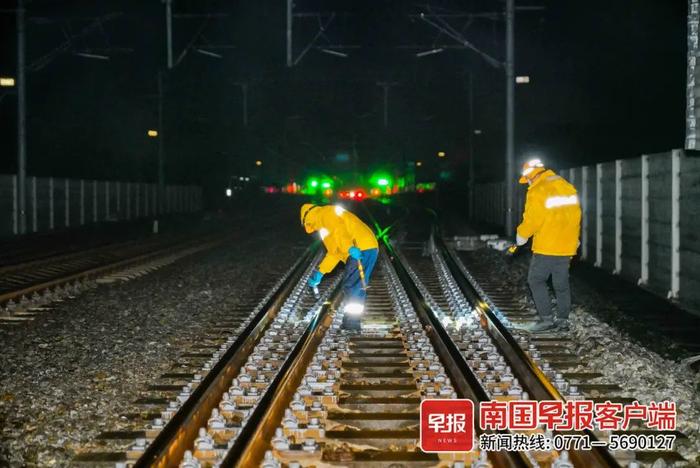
[{"x": 607, "y": 82}]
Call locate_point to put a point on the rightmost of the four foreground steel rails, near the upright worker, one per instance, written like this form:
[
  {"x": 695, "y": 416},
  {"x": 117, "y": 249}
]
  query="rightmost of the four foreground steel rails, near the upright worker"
[{"x": 534, "y": 381}]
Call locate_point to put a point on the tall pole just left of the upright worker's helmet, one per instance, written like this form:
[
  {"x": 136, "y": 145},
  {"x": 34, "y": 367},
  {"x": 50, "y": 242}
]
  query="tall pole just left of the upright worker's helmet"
[{"x": 510, "y": 114}]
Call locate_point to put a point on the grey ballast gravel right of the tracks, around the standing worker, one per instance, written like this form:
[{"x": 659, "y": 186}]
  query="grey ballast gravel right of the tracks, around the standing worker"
[{"x": 642, "y": 373}]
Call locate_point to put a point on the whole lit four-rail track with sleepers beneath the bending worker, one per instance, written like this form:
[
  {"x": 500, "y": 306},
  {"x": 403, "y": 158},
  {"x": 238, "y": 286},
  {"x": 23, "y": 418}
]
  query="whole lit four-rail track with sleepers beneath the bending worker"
[{"x": 288, "y": 386}]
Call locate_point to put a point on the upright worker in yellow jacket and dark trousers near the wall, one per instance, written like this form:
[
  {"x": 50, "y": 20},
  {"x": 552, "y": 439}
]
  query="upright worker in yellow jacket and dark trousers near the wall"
[{"x": 552, "y": 218}]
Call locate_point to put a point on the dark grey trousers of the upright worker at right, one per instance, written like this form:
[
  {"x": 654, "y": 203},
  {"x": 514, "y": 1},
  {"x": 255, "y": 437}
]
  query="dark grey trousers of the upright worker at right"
[{"x": 541, "y": 268}]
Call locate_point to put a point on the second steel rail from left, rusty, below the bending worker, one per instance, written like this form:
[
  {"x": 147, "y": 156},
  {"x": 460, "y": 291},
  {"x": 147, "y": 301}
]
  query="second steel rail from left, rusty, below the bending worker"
[{"x": 249, "y": 447}]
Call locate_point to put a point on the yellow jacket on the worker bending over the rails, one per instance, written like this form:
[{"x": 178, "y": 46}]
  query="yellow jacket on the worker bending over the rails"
[{"x": 339, "y": 230}]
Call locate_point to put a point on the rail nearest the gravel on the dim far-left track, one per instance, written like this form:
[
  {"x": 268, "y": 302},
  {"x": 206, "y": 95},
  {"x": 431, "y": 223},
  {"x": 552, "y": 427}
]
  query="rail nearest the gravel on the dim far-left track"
[{"x": 101, "y": 270}]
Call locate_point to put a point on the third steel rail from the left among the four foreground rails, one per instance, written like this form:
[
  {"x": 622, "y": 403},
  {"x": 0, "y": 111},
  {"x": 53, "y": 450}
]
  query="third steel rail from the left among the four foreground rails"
[{"x": 465, "y": 381}]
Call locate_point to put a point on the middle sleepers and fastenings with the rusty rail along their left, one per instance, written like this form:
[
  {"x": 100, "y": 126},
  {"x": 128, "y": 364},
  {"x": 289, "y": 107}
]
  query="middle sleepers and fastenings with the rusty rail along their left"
[{"x": 356, "y": 402}]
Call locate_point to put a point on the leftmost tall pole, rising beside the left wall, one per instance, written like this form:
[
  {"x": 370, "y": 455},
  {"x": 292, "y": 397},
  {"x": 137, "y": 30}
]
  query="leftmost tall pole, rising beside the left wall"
[{"x": 21, "y": 121}]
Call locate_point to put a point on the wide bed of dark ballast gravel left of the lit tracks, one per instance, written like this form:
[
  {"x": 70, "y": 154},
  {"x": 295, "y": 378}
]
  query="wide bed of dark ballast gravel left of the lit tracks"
[{"x": 67, "y": 375}]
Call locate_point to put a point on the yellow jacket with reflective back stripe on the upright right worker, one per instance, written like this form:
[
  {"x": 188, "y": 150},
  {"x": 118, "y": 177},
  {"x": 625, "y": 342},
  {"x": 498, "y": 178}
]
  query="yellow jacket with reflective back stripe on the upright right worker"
[{"x": 552, "y": 215}]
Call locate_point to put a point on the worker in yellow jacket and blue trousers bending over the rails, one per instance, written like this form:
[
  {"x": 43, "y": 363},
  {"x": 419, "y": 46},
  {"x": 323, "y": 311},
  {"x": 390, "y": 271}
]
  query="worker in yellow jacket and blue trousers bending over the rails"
[{"x": 347, "y": 239}]
